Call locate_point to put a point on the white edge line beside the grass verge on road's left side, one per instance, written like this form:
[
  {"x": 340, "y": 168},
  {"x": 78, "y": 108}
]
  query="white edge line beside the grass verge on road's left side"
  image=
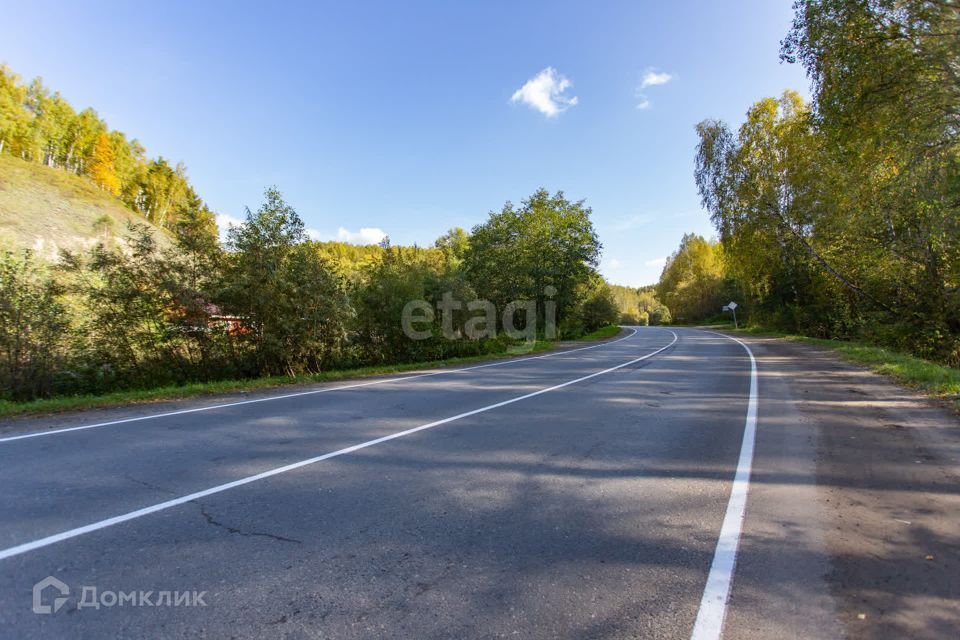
[{"x": 50, "y": 432}]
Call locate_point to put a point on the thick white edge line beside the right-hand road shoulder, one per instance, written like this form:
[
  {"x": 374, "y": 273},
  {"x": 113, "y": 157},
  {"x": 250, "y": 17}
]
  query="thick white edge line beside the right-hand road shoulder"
[{"x": 713, "y": 605}]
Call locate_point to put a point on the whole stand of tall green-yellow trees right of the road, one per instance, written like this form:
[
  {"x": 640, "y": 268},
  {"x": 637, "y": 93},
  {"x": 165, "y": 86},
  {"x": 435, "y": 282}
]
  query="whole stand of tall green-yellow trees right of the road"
[{"x": 840, "y": 217}]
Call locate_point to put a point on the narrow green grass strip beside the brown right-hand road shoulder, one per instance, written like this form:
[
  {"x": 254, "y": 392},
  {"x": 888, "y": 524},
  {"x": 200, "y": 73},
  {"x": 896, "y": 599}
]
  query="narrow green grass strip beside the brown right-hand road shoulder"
[{"x": 933, "y": 379}]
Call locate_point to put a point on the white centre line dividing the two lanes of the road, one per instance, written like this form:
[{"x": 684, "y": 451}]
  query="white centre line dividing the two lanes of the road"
[{"x": 139, "y": 513}]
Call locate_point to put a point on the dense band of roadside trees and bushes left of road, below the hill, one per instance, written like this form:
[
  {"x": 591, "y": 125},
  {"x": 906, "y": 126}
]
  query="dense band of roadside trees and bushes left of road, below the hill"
[{"x": 272, "y": 302}]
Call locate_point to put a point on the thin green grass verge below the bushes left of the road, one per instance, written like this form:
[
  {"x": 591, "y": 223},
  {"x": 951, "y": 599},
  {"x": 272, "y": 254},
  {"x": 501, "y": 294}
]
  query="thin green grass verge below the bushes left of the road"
[{"x": 138, "y": 396}]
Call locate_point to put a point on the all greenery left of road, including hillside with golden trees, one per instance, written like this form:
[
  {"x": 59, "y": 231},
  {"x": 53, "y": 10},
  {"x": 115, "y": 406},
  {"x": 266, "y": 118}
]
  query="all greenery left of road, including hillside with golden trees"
[{"x": 160, "y": 308}]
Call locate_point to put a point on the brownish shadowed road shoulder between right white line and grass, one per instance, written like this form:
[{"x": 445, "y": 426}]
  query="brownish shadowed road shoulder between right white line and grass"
[{"x": 851, "y": 521}]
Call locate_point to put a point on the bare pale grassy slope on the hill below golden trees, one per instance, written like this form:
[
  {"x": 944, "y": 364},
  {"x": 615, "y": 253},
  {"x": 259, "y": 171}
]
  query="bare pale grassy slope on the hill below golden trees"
[{"x": 48, "y": 210}]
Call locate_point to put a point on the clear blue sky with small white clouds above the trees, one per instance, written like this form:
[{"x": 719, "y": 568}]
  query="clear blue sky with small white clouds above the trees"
[{"x": 410, "y": 117}]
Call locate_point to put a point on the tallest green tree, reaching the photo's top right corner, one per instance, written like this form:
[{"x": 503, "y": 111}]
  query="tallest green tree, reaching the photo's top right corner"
[{"x": 887, "y": 97}]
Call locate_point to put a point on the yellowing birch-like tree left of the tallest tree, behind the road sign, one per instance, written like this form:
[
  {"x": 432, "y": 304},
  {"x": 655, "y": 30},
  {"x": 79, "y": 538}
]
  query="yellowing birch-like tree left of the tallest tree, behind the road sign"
[{"x": 770, "y": 191}]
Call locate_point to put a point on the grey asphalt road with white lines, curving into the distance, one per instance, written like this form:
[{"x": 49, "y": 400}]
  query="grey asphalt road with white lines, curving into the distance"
[{"x": 580, "y": 494}]
